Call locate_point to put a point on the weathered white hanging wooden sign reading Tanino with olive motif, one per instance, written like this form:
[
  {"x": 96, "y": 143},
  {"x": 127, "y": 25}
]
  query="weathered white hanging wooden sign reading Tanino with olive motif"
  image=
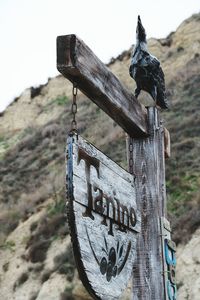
[{"x": 103, "y": 219}]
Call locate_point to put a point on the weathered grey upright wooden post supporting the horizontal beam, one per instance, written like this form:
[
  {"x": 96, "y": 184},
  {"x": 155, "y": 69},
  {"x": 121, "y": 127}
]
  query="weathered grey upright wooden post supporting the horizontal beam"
[{"x": 149, "y": 169}]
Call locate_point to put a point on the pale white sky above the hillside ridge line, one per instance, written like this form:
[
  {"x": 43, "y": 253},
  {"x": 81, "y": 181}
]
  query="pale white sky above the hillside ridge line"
[{"x": 28, "y": 30}]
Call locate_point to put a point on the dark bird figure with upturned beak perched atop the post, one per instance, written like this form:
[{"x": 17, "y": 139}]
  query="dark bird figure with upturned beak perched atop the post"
[{"x": 145, "y": 69}]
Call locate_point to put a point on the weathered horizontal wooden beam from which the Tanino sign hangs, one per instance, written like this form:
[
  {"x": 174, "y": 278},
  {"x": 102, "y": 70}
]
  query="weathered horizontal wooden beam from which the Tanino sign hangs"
[{"x": 77, "y": 62}]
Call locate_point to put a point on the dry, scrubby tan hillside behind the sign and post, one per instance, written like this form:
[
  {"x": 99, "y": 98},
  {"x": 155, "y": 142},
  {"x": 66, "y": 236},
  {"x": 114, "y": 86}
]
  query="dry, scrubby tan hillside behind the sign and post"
[{"x": 35, "y": 253}]
